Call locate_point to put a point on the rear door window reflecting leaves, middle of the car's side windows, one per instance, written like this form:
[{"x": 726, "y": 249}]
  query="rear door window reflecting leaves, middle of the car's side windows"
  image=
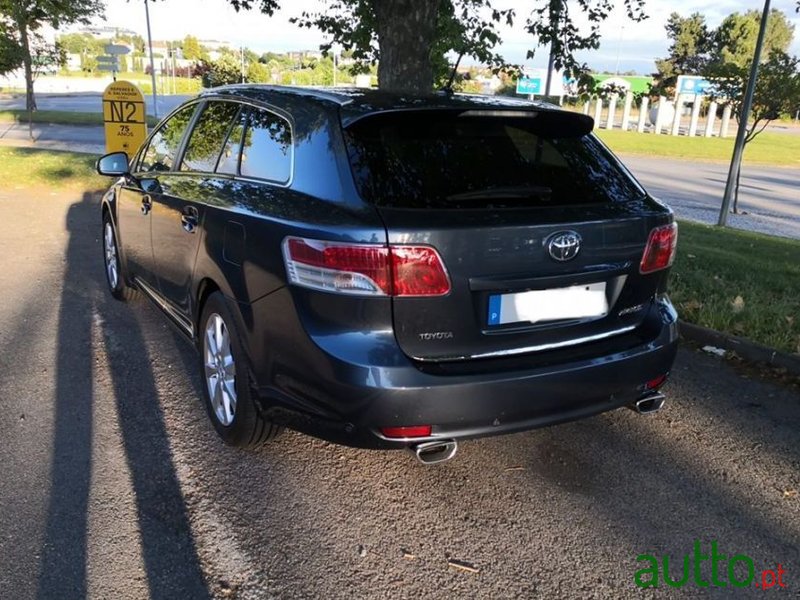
[{"x": 208, "y": 136}]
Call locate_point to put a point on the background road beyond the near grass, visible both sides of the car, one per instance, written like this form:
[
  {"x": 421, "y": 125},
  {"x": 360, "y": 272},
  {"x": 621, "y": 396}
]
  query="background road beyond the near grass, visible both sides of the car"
[{"x": 770, "y": 196}]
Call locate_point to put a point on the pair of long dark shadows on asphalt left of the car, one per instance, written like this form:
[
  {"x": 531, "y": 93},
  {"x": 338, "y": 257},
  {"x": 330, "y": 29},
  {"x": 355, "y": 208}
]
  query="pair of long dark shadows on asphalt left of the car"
[{"x": 167, "y": 547}]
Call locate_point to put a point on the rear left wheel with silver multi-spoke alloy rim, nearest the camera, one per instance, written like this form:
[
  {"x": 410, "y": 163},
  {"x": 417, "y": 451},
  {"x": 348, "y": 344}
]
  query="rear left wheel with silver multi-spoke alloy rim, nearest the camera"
[{"x": 227, "y": 391}]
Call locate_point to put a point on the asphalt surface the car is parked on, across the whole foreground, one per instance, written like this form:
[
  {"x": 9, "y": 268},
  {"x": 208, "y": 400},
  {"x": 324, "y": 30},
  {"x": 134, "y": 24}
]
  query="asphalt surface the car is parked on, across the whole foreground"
[{"x": 115, "y": 486}]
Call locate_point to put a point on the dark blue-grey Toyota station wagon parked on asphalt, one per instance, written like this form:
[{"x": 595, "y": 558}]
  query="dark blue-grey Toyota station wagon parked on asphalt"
[{"x": 393, "y": 271}]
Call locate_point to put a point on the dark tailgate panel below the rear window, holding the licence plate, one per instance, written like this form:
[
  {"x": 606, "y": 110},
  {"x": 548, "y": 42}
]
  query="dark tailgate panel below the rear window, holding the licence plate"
[{"x": 489, "y": 268}]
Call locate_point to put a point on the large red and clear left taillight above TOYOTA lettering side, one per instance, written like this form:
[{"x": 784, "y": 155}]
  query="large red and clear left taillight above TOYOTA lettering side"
[{"x": 365, "y": 269}]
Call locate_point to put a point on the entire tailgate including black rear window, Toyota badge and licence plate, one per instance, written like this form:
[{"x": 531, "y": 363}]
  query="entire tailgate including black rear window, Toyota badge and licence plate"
[{"x": 540, "y": 231}]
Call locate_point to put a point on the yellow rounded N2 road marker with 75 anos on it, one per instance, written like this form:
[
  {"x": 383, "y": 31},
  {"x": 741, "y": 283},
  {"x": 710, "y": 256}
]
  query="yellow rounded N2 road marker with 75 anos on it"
[{"x": 124, "y": 117}]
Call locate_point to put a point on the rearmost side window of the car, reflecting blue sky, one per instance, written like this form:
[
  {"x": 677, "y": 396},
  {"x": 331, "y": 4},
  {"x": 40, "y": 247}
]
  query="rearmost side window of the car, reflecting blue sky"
[{"x": 267, "y": 147}]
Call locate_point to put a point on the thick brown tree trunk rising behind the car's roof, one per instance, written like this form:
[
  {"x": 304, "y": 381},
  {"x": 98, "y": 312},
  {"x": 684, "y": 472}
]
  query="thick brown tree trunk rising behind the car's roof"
[{"x": 406, "y": 29}]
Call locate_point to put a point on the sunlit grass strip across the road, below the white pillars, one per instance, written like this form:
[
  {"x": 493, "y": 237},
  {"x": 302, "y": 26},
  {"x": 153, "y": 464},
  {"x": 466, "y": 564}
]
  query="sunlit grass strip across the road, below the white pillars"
[{"x": 777, "y": 149}]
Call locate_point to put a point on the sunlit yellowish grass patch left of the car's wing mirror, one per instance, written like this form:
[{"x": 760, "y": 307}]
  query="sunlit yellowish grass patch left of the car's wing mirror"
[{"x": 31, "y": 168}]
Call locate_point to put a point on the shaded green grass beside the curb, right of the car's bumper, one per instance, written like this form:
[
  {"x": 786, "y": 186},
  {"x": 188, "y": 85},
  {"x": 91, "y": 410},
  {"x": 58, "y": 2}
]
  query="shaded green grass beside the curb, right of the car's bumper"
[{"x": 740, "y": 283}]
